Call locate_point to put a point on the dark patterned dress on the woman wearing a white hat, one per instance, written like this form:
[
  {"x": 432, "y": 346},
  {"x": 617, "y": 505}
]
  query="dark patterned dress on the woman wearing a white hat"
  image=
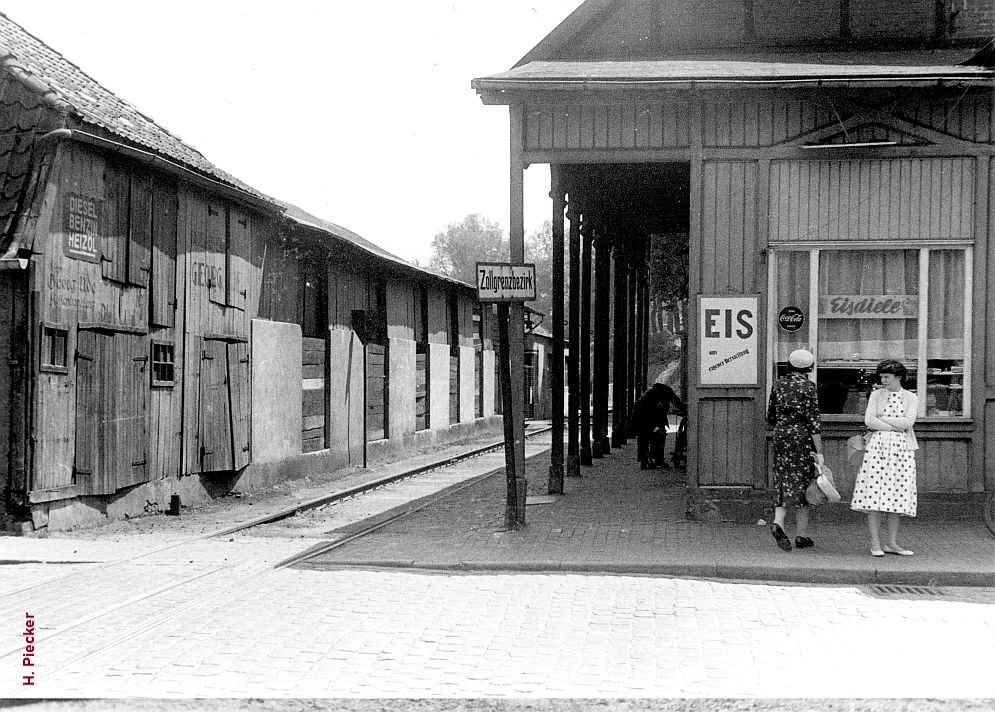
[{"x": 794, "y": 413}]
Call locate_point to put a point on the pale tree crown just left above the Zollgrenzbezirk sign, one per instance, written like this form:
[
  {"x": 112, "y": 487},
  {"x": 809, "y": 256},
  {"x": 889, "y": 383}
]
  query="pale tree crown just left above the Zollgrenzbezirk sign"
[{"x": 456, "y": 250}]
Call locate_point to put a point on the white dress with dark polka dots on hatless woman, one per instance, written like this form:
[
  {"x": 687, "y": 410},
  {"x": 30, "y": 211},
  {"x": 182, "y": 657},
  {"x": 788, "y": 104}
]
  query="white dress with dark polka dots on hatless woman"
[{"x": 886, "y": 481}]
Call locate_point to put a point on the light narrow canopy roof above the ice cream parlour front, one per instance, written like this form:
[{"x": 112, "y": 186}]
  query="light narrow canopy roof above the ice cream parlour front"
[{"x": 809, "y": 67}]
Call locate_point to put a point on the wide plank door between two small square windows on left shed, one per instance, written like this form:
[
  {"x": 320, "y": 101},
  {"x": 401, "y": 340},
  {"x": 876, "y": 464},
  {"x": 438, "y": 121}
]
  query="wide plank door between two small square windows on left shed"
[{"x": 111, "y": 412}]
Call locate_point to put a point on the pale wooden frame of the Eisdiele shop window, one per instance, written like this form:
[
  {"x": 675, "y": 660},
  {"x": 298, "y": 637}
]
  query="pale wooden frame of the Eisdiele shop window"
[{"x": 924, "y": 249}]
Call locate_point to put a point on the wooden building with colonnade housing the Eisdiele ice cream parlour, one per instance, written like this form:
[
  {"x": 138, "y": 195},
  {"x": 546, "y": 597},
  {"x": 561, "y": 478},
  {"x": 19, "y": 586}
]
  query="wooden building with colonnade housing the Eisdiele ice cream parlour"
[{"x": 828, "y": 167}]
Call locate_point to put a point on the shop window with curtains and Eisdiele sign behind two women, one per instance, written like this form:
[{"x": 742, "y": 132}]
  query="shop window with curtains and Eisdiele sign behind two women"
[{"x": 912, "y": 305}]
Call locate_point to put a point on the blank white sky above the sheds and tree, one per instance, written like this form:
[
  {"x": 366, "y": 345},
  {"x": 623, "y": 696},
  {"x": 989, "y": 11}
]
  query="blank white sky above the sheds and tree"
[{"x": 359, "y": 112}]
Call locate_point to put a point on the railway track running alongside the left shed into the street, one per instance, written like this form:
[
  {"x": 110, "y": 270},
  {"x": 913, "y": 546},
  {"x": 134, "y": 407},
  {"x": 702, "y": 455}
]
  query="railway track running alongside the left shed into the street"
[{"x": 152, "y": 604}]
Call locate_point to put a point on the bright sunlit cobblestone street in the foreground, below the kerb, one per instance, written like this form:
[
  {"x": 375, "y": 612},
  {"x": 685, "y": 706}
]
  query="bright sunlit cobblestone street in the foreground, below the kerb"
[{"x": 249, "y": 631}]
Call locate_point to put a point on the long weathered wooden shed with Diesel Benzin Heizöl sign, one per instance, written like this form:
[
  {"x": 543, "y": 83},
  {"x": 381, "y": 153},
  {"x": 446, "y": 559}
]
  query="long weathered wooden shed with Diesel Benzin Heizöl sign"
[{"x": 167, "y": 329}]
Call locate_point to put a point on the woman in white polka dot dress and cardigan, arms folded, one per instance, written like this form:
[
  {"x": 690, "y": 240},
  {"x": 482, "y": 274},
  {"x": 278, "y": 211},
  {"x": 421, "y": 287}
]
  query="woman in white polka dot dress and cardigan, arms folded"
[{"x": 887, "y": 478}]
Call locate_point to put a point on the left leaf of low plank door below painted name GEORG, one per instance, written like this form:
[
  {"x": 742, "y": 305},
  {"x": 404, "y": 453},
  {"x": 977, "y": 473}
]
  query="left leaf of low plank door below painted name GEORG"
[{"x": 214, "y": 415}]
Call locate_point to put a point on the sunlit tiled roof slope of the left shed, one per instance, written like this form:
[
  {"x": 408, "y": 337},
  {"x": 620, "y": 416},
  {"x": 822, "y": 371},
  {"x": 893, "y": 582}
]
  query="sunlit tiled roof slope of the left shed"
[{"x": 24, "y": 55}]
